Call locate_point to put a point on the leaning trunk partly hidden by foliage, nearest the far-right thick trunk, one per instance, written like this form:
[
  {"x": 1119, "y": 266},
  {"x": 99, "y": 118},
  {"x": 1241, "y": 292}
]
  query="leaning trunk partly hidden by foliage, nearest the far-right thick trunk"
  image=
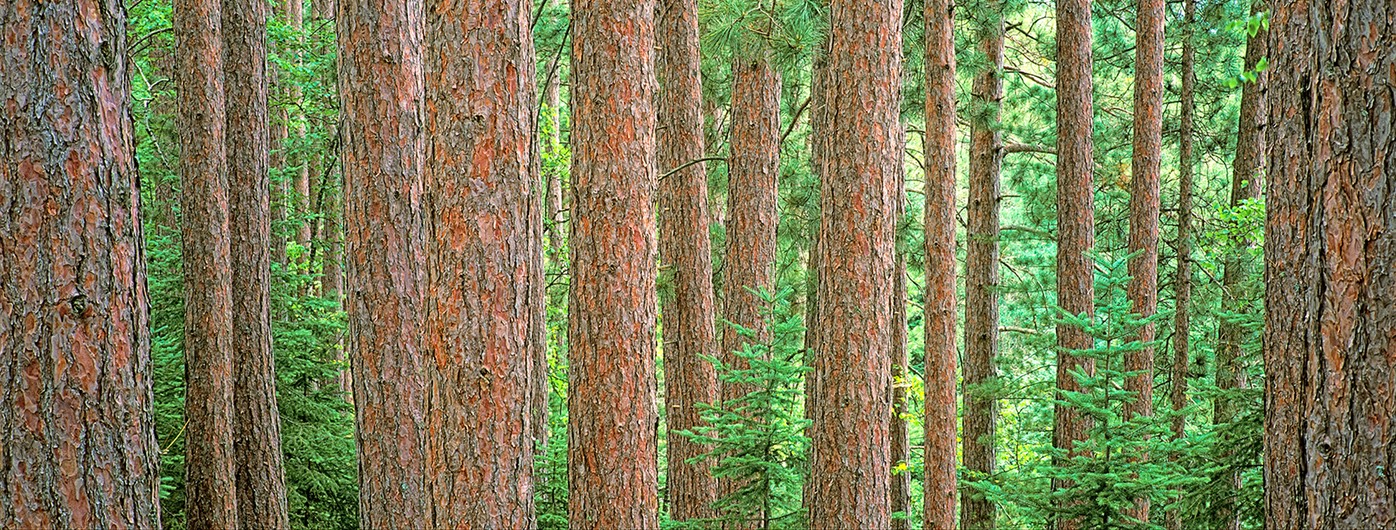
[{"x": 1247, "y": 172}]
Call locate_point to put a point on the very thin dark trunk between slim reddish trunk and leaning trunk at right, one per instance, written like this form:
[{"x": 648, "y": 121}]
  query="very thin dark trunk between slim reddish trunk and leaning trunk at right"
[{"x": 1183, "y": 282}]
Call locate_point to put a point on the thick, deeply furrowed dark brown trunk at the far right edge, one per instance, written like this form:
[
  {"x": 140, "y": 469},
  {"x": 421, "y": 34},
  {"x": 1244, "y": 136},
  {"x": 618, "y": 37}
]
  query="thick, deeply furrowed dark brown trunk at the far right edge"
[{"x": 1331, "y": 249}]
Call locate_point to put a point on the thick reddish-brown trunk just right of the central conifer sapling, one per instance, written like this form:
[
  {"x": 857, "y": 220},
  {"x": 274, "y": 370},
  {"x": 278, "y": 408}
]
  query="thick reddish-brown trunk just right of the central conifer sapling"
[{"x": 862, "y": 169}]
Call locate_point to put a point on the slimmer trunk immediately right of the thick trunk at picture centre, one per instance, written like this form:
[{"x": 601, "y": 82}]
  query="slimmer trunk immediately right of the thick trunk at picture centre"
[{"x": 686, "y": 268}]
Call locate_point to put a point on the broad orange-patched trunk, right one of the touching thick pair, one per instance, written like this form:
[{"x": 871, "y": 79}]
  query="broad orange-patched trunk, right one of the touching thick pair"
[{"x": 485, "y": 264}]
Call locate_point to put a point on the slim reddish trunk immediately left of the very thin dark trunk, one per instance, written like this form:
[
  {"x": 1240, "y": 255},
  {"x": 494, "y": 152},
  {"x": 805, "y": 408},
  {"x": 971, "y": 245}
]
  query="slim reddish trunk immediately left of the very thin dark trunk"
[{"x": 1144, "y": 211}]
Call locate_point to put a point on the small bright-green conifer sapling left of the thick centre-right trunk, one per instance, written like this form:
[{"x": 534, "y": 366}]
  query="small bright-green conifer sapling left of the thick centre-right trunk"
[{"x": 757, "y": 441}]
